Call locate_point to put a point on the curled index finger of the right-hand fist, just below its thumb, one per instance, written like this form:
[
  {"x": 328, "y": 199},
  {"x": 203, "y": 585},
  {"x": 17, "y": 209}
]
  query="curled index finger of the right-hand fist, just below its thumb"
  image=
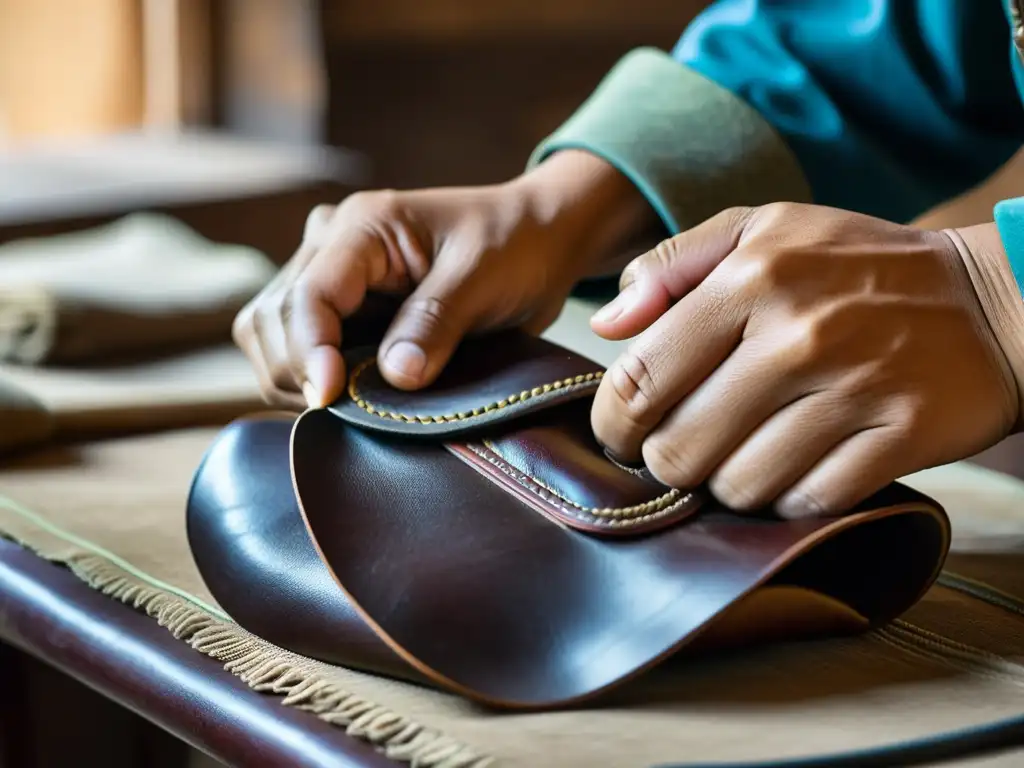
[{"x": 664, "y": 365}]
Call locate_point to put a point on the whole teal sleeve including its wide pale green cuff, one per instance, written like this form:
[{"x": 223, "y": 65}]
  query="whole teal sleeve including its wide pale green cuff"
[{"x": 886, "y": 108}]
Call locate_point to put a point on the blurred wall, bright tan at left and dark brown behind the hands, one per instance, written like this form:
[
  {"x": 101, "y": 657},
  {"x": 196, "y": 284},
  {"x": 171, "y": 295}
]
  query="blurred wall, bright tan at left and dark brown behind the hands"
[{"x": 434, "y": 92}]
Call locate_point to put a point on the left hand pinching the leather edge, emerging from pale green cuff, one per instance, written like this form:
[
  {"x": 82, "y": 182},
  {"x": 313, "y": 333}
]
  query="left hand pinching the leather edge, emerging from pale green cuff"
[{"x": 470, "y": 260}]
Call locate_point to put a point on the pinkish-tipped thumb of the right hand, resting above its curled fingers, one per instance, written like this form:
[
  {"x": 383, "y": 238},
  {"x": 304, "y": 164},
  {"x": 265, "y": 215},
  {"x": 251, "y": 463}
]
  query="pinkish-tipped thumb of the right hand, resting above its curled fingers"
[{"x": 658, "y": 279}]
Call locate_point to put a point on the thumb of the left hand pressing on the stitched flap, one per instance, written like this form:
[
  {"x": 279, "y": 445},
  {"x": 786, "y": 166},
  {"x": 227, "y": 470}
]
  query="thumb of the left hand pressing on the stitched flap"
[{"x": 426, "y": 331}]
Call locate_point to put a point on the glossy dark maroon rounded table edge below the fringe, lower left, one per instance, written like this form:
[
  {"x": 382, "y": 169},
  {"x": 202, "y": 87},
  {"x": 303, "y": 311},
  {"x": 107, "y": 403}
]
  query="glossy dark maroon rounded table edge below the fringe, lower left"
[{"x": 127, "y": 657}]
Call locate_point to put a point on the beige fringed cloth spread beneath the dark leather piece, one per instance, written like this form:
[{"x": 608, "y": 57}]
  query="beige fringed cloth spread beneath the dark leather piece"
[{"x": 114, "y": 513}]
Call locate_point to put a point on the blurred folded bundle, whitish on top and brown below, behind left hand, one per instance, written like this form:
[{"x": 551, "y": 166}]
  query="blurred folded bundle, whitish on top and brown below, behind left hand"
[{"x": 145, "y": 285}]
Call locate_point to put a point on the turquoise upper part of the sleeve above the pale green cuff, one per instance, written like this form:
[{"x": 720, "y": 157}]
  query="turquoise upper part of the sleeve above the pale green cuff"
[{"x": 890, "y": 106}]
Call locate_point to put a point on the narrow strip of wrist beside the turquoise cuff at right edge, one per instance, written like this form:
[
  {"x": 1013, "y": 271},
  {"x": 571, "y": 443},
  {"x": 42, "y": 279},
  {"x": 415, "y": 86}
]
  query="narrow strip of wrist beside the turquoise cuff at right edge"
[{"x": 986, "y": 259}]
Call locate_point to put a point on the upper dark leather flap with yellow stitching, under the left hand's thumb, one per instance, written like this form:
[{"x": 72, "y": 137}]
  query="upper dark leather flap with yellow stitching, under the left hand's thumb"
[{"x": 489, "y": 382}]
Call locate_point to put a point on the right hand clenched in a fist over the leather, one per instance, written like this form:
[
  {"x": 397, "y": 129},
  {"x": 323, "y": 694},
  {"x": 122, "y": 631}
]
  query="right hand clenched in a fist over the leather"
[{"x": 803, "y": 357}]
